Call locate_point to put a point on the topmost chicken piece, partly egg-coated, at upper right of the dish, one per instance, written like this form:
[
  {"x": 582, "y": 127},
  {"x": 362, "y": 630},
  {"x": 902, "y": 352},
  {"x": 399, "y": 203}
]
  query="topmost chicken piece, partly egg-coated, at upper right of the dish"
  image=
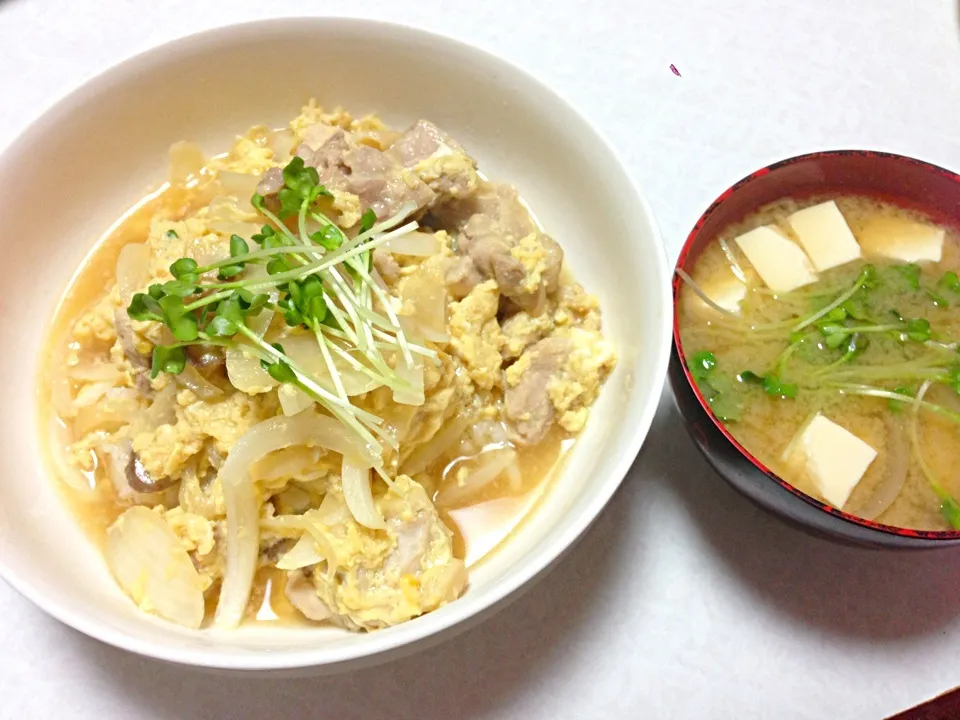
[{"x": 438, "y": 160}]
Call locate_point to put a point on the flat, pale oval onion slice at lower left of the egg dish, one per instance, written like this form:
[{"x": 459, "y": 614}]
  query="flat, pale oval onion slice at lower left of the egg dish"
[{"x": 153, "y": 568}]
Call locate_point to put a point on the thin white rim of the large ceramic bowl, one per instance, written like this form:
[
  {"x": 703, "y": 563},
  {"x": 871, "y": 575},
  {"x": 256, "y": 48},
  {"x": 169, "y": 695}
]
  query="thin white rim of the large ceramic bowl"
[{"x": 450, "y": 619}]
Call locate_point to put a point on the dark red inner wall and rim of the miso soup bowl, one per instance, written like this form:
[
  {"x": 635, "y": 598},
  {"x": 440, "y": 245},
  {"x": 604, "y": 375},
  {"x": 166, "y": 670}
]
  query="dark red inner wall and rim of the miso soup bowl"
[{"x": 904, "y": 181}]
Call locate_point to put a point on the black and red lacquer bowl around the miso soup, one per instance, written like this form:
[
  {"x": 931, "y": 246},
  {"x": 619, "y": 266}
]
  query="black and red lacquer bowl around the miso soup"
[{"x": 901, "y": 180}]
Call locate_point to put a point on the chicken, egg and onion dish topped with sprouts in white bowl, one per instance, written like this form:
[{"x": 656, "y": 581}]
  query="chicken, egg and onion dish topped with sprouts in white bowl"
[{"x": 317, "y": 377}]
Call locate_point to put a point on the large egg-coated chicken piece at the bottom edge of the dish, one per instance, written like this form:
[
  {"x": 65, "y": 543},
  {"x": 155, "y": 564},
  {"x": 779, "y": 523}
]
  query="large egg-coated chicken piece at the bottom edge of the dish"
[{"x": 386, "y": 577}]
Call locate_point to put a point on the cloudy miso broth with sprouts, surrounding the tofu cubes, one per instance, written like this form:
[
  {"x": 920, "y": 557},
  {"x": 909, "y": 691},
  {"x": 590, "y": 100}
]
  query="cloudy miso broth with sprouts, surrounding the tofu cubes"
[{"x": 848, "y": 384}]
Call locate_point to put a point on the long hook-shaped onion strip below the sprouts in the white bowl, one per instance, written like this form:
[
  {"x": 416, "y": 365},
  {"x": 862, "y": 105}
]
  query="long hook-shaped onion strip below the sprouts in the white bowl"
[{"x": 241, "y": 500}]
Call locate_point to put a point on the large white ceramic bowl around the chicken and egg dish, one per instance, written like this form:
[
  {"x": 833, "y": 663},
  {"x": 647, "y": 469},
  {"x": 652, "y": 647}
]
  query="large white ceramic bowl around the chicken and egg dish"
[{"x": 77, "y": 168}]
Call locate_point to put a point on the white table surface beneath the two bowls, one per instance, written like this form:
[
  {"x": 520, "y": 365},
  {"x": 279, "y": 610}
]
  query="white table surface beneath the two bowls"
[{"x": 683, "y": 601}]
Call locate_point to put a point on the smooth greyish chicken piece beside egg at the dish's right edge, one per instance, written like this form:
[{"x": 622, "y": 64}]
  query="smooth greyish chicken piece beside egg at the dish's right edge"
[{"x": 528, "y": 408}]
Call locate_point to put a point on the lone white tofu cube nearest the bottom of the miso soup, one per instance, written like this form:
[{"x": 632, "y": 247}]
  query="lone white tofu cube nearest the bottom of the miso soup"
[{"x": 832, "y": 457}]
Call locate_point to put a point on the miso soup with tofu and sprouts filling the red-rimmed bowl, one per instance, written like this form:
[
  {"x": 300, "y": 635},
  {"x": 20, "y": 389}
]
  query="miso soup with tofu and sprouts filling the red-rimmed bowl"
[{"x": 845, "y": 384}]
